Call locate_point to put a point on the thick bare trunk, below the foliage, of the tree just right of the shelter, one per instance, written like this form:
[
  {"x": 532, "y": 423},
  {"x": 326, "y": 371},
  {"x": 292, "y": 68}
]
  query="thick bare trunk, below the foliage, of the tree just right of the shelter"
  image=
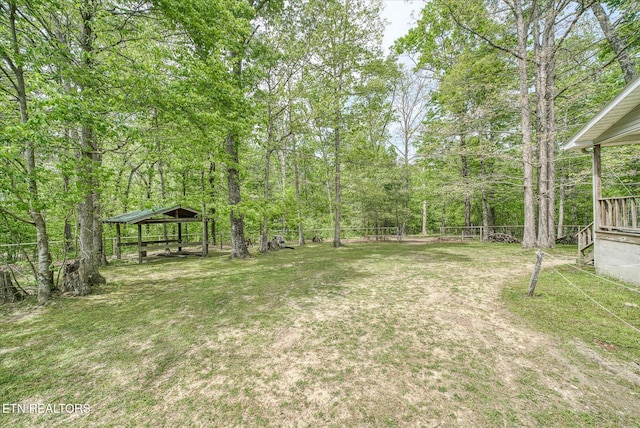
[{"x": 238, "y": 244}]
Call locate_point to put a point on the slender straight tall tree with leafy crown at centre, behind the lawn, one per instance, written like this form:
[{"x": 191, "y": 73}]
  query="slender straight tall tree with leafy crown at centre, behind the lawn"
[{"x": 346, "y": 37}]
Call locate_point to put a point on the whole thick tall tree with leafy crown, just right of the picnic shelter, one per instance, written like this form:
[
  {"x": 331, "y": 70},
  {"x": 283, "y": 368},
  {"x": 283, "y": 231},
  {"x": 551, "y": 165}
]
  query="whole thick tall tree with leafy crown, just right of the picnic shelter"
[{"x": 222, "y": 33}]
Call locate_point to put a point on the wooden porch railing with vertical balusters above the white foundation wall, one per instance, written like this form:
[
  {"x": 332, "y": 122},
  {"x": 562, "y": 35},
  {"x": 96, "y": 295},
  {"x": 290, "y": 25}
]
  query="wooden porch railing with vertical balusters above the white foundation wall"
[{"x": 619, "y": 214}]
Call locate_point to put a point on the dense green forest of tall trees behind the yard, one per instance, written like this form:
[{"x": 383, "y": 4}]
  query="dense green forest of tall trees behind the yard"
[{"x": 291, "y": 117}]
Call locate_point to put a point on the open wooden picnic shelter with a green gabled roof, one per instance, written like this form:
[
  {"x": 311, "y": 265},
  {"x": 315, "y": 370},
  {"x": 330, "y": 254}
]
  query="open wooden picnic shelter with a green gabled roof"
[{"x": 176, "y": 214}]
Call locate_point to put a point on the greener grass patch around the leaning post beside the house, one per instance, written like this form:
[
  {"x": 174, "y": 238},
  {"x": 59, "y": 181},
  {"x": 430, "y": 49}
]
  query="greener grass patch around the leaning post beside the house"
[{"x": 560, "y": 306}]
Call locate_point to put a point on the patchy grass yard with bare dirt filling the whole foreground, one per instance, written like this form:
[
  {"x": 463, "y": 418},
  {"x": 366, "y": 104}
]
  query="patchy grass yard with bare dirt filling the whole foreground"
[{"x": 378, "y": 334}]
